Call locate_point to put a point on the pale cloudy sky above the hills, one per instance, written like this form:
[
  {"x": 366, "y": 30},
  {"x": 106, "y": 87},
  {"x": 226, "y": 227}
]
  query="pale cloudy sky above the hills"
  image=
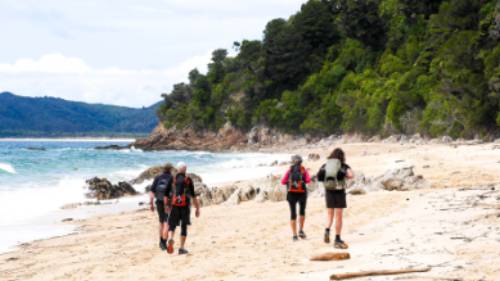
[{"x": 122, "y": 52}]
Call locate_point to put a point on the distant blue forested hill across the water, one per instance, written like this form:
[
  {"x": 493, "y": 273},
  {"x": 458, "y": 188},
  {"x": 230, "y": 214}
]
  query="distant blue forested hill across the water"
[{"x": 53, "y": 117}]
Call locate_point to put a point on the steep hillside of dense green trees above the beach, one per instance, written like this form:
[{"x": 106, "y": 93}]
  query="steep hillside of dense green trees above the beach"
[{"x": 341, "y": 66}]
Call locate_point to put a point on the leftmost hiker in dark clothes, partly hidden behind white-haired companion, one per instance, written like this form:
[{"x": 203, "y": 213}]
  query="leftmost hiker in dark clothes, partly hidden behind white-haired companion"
[{"x": 161, "y": 184}]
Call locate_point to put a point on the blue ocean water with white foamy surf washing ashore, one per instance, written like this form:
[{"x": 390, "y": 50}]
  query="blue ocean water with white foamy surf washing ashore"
[{"x": 37, "y": 177}]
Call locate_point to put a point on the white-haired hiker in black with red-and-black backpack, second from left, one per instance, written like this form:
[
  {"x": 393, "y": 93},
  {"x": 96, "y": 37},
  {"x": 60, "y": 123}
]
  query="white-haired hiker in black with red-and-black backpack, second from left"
[{"x": 181, "y": 194}]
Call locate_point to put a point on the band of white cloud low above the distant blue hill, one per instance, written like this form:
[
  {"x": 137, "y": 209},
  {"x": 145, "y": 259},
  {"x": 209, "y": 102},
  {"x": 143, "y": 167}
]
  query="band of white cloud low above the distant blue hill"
[{"x": 71, "y": 78}]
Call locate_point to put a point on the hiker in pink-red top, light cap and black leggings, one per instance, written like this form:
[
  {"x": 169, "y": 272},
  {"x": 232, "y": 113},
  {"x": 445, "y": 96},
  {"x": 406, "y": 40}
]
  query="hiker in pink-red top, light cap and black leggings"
[{"x": 296, "y": 180}]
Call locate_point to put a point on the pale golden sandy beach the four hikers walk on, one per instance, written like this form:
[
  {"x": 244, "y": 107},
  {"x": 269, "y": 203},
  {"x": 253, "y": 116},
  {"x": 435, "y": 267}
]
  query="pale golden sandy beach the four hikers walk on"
[{"x": 452, "y": 227}]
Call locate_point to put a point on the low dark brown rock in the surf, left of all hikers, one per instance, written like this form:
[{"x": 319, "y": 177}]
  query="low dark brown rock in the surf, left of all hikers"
[{"x": 103, "y": 189}]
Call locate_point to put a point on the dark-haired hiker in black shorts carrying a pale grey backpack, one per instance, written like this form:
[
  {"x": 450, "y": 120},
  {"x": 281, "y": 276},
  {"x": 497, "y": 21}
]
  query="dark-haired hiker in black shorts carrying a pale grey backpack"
[{"x": 334, "y": 174}]
